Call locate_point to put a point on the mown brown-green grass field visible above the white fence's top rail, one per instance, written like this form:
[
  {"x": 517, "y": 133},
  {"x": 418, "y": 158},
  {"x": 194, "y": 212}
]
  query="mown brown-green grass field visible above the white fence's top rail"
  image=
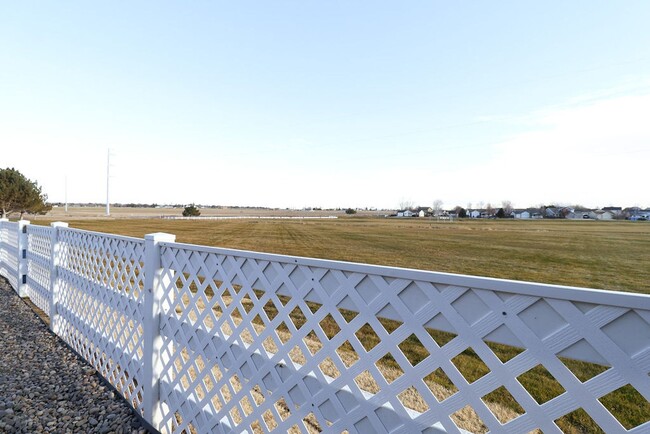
[{"x": 604, "y": 255}]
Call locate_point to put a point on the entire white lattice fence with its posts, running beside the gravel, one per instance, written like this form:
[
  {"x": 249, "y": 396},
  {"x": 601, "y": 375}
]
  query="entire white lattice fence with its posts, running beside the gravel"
[{"x": 202, "y": 339}]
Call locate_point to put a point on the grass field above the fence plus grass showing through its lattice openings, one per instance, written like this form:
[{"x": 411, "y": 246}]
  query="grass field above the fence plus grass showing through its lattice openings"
[{"x": 607, "y": 255}]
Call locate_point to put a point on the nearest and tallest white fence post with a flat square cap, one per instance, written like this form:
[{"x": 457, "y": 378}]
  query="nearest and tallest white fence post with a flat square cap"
[{"x": 152, "y": 340}]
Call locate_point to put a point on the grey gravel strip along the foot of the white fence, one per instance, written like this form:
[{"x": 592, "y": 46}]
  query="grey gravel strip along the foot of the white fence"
[{"x": 45, "y": 387}]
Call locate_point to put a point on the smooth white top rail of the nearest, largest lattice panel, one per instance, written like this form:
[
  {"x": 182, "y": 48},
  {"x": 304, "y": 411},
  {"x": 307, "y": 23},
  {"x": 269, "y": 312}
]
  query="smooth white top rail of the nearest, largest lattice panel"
[{"x": 587, "y": 295}]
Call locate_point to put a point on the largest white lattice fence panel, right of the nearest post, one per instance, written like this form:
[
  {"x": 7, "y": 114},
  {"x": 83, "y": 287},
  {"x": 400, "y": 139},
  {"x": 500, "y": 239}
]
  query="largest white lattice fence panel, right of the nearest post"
[{"x": 266, "y": 343}]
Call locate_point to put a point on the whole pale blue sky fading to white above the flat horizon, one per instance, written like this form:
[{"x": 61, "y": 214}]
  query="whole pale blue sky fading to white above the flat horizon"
[{"x": 329, "y": 103}]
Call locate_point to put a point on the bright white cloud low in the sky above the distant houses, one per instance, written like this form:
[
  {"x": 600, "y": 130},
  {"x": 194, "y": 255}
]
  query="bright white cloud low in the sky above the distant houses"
[{"x": 594, "y": 154}]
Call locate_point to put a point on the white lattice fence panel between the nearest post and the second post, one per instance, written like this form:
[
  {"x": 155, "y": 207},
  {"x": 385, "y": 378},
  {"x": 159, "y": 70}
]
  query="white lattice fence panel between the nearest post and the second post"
[{"x": 100, "y": 305}]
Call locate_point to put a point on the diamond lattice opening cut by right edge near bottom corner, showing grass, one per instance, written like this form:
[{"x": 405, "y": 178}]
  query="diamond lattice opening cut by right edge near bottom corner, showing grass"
[{"x": 628, "y": 406}]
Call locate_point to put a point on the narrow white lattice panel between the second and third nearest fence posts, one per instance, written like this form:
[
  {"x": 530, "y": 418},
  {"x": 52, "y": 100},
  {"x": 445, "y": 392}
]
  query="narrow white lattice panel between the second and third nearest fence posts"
[{"x": 39, "y": 248}]
